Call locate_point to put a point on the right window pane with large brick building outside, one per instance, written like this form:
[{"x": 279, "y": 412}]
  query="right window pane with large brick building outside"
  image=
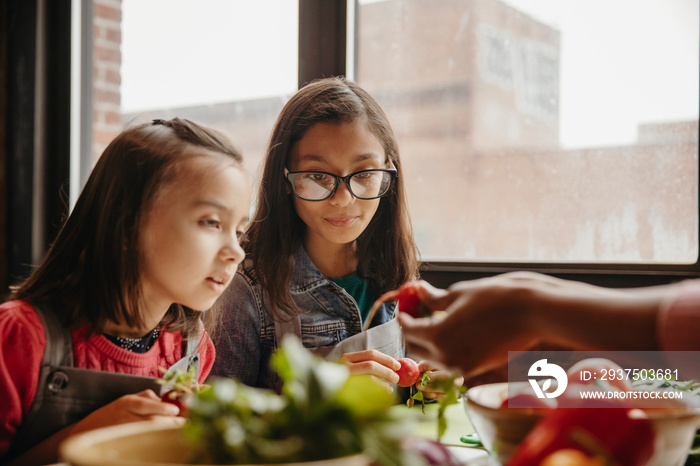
[{"x": 542, "y": 131}]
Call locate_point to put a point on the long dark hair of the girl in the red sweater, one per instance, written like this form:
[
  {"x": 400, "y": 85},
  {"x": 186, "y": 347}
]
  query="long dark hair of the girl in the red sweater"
[{"x": 91, "y": 272}]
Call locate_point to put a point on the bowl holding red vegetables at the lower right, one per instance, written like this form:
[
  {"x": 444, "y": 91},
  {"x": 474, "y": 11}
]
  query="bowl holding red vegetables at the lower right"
[{"x": 502, "y": 429}]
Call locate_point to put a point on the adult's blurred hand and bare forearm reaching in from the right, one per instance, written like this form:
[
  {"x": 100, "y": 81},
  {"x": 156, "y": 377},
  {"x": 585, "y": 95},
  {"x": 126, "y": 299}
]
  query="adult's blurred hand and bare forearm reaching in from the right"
[{"x": 486, "y": 318}]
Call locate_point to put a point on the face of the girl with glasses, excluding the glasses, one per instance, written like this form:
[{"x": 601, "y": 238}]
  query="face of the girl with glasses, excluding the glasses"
[{"x": 340, "y": 149}]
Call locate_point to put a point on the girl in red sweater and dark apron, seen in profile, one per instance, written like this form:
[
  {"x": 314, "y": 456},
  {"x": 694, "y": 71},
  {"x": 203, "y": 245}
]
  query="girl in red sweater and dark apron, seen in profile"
[{"x": 152, "y": 242}]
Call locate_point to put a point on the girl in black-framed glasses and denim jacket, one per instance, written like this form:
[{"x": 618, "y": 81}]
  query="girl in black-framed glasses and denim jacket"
[{"x": 330, "y": 234}]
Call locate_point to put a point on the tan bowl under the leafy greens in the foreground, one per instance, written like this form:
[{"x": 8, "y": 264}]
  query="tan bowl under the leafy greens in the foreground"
[{"x": 150, "y": 443}]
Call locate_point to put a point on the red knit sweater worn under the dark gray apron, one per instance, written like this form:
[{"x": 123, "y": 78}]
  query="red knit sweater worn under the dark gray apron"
[{"x": 22, "y": 344}]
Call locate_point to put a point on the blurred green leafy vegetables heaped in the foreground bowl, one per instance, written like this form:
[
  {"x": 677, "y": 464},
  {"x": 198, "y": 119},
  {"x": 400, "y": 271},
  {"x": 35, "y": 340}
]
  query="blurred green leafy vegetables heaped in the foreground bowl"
[{"x": 321, "y": 413}]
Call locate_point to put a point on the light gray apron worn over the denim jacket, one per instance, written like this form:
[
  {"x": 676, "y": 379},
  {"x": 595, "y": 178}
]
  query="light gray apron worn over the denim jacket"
[{"x": 385, "y": 338}]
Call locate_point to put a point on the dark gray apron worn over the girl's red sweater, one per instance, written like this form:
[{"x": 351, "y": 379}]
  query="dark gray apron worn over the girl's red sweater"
[{"x": 66, "y": 394}]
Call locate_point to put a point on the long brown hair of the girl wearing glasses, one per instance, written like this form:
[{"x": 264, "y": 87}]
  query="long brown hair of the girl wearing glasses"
[{"x": 386, "y": 250}]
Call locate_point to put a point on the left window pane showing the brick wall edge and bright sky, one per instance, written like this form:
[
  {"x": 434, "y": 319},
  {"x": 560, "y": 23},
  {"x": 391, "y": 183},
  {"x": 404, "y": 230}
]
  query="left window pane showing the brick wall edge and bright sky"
[{"x": 228, "y": 64}]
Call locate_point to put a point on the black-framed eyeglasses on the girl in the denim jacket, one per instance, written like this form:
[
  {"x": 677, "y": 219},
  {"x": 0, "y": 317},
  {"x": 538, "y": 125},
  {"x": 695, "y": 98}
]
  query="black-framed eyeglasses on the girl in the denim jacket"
[{"x": 319, "y": 186}]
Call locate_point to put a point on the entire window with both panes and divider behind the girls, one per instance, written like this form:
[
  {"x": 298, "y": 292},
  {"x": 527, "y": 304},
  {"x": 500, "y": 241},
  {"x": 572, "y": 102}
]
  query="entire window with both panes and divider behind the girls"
[{"x": 548, "y": 132}]
